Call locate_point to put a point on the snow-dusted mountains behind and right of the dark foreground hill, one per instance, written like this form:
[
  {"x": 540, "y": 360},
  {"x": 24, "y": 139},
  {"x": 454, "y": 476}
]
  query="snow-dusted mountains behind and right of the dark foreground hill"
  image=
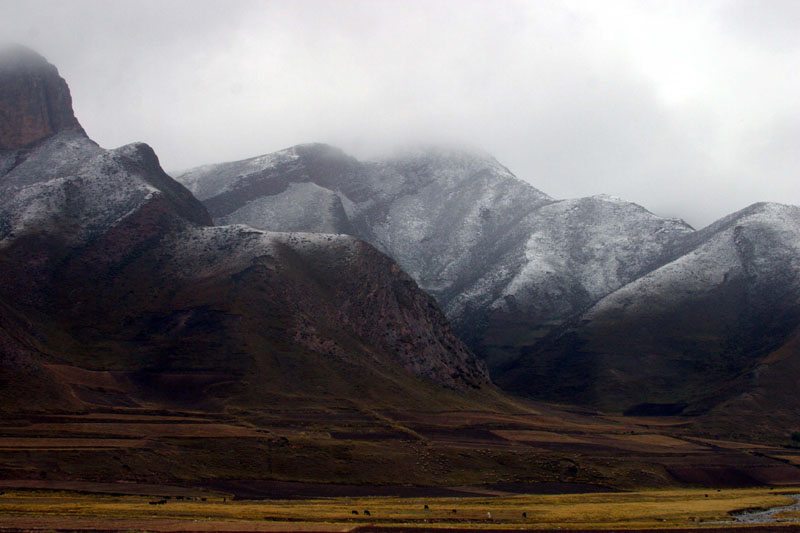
[{"x": 594, "y": 300}]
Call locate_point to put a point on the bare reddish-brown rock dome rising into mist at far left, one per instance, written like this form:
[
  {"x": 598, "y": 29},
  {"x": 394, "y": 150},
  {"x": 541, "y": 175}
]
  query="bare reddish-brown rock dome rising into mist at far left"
[{"x": 35, "y": 105}]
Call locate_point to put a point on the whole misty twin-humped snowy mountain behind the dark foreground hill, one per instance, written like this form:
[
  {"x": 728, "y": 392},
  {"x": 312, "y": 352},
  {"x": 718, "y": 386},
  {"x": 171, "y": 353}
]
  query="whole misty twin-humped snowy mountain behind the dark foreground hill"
[{"x": 437, "y": 212}]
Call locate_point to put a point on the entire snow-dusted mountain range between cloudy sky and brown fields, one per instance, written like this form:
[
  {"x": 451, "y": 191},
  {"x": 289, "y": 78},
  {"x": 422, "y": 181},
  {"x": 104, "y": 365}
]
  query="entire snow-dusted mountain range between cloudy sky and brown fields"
[{"x": 308, "y": 277}]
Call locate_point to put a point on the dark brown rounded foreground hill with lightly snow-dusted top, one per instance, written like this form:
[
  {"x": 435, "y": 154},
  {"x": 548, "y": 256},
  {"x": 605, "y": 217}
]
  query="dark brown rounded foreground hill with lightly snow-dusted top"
[{"x": 273, "y": 315}]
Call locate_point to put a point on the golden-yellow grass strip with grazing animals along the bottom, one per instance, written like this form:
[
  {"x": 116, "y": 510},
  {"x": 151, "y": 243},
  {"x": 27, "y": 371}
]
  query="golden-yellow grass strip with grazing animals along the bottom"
[{"x": 32, "y": 509}]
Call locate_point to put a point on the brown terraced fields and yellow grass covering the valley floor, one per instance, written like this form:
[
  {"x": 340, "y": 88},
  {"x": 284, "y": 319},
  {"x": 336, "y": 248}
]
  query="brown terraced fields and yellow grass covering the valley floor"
[{"x": 267, "y": 471}]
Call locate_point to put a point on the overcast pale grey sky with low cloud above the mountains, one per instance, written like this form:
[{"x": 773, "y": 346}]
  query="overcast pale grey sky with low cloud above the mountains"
[{"x": 689, "y": 108}]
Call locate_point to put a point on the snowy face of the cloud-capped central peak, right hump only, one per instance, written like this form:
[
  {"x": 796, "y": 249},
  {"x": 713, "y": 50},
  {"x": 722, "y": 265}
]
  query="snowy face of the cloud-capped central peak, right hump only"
[{"x": 449, "y": 216}]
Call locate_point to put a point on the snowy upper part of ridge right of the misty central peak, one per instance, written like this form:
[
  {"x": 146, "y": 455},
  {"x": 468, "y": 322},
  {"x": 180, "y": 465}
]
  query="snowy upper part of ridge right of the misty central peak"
[{"x": 577, "y": 251}]
